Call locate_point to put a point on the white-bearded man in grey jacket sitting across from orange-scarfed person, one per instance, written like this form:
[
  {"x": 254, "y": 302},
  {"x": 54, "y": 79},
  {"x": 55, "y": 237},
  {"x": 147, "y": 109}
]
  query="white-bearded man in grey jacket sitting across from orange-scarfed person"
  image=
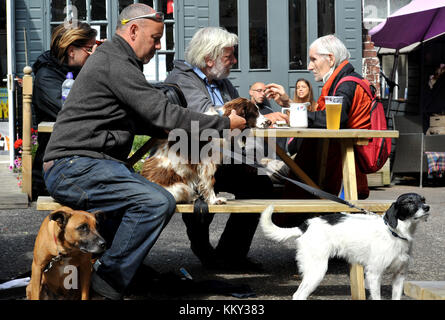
[{"x": 202, "y": 77}]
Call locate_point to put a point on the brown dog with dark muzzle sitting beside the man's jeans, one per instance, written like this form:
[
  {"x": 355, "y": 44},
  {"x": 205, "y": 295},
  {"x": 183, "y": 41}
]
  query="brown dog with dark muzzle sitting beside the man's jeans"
[{"x": 62, "y": 265}]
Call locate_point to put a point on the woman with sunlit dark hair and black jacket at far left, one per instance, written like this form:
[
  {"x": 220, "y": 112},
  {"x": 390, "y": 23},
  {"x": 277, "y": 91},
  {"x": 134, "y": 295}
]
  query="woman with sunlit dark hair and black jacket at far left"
[{"x": 71, "y": 46}]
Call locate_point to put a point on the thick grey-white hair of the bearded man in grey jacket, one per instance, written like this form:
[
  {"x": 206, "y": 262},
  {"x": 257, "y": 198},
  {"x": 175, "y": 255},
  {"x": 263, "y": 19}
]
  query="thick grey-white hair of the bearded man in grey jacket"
[{"x": 209, "y": 42}]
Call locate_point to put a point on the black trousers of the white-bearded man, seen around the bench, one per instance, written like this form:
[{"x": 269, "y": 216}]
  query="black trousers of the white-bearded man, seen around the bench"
[{"x": 245, "y": 183}]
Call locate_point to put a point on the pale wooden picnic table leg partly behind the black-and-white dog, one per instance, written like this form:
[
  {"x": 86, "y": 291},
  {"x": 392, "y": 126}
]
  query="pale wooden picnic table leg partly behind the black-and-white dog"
[{"x": 357, "y": 277}]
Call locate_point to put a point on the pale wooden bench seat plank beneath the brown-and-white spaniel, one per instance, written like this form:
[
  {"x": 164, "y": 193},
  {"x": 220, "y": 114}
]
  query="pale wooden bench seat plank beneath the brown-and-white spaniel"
[{"x": 257, "y": 206}]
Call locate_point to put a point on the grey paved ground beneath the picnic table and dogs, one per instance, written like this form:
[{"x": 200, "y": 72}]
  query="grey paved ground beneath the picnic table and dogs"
[{"x": 18, "y": 228}]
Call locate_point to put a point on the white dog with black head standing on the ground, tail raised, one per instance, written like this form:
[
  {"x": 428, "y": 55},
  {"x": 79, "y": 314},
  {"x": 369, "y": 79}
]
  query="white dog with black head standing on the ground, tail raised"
[{"x": 377, "y": 243}]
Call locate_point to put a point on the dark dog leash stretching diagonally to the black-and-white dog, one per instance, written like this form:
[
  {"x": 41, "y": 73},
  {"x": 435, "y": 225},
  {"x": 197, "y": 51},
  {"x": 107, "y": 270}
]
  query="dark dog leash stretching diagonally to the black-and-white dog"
[{"x": 314, "y": 191}]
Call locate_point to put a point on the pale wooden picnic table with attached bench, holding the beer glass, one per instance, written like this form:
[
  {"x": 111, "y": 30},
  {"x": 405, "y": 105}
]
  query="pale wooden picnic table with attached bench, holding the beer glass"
[{"x": 347, "y": 138}]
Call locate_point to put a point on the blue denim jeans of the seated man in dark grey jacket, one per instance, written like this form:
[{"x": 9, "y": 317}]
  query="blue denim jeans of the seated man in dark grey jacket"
[{"x": 143, "y": 209}]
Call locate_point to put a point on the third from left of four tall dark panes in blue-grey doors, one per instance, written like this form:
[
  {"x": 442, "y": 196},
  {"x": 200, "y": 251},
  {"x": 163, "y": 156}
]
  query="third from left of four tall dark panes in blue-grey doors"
[{"x": 297, "y": 35}]
